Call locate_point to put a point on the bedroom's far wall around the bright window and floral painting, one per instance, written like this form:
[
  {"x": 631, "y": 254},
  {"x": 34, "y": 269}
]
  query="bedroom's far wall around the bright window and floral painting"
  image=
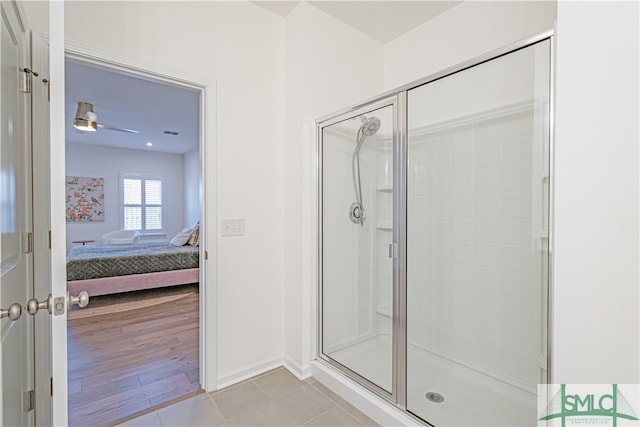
[{"x": 107, "y": 163}]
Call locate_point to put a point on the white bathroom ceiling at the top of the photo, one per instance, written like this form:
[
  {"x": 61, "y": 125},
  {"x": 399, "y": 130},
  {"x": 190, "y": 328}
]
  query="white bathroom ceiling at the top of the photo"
[{"x": 381, "y": 20}]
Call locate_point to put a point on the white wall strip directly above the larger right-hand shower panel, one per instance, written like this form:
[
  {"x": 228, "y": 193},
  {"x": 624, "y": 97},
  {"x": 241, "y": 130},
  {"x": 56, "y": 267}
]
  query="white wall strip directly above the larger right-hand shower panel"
[{"x": 461, "y": 33}]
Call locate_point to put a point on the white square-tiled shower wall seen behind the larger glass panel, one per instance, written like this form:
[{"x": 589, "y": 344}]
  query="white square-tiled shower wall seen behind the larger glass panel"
[{"x": 471, "y": 261}]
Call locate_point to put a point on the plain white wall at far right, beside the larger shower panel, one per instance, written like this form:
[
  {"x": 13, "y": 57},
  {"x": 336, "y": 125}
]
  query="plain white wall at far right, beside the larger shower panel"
[{"x": 596, "y": 334}]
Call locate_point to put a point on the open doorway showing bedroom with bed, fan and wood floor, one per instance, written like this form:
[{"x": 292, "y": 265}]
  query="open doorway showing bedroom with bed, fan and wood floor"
[{"x": 133, "y": 207}]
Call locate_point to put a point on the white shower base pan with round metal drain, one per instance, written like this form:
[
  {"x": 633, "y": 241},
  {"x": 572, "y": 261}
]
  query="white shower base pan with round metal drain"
[{"x": 471, "y": 398}]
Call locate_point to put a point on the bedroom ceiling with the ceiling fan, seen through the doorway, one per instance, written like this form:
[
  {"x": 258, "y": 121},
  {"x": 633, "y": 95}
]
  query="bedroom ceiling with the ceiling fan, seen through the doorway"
[{"x": 125, "y": 101}]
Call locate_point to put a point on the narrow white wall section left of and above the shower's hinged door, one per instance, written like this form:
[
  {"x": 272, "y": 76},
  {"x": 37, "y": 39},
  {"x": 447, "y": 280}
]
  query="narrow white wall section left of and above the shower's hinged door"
[{"x": 328, "y": 66}]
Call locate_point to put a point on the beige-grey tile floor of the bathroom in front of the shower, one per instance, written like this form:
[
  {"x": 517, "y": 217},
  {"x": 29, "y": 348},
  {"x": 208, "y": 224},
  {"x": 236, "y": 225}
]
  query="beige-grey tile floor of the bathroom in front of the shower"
[{"x": 275, "y": 398}]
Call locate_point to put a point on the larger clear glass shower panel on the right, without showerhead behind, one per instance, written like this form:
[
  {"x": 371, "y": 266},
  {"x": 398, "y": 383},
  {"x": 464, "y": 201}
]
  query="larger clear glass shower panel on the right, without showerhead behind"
[{"x": 477, "y": 241}]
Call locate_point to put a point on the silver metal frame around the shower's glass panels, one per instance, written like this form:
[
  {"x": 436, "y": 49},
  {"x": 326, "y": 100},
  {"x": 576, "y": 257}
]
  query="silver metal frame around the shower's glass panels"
[{"x": 397, "y": 99}]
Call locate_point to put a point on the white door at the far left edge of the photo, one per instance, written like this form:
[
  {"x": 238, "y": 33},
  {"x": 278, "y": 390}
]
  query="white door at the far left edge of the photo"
[{"x": 16, "y": 279}]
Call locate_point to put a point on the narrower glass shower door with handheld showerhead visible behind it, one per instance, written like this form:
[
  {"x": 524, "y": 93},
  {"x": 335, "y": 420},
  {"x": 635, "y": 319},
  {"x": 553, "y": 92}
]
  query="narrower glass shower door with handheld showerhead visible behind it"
[{"x": 356, "y": 154}]
